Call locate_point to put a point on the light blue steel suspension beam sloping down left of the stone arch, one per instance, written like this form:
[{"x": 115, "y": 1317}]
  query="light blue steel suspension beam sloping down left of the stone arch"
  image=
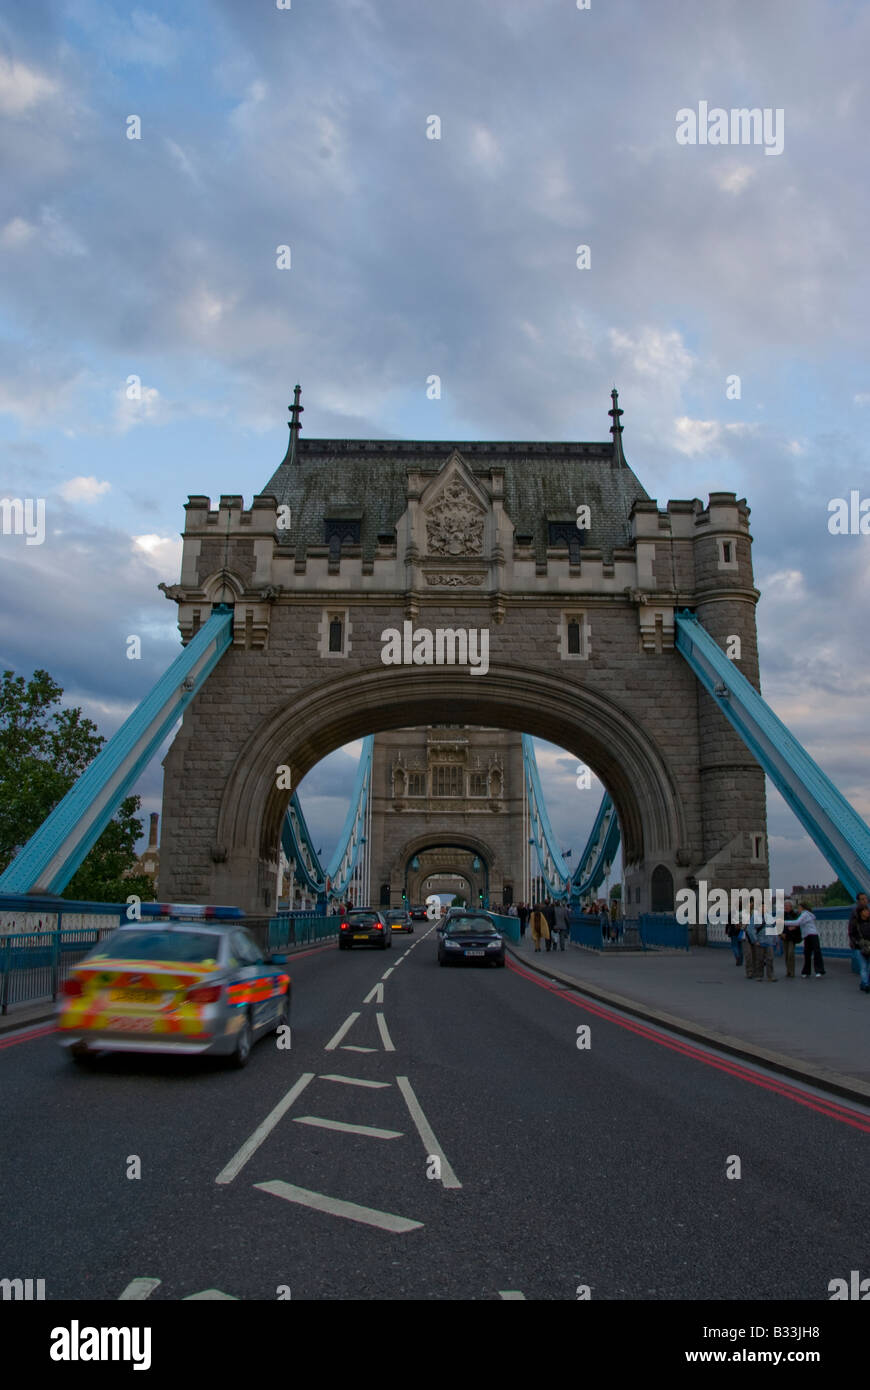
[{"x": 55, "y": 853}]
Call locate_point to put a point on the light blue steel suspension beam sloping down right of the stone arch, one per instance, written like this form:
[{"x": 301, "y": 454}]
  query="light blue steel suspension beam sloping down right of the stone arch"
[{"x": 835, "y": 826}]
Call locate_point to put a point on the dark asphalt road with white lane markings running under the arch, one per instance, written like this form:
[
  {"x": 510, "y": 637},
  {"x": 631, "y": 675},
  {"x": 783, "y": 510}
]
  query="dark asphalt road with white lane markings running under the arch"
[{"x": 561, "y": 1167}]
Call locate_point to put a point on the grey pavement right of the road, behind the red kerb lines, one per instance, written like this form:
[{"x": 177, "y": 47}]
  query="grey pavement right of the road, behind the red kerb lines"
[{"x": 814, "y": 1031}]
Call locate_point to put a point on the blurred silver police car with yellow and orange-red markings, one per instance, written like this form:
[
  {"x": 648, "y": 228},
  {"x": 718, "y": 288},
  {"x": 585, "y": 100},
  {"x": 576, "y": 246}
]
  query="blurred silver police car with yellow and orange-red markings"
[{"x": 174, "y": 988}]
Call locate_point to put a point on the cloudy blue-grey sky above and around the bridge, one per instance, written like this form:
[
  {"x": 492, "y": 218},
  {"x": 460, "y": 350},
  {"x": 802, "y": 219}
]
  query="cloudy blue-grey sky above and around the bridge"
[{"x": 306, "y": 127}]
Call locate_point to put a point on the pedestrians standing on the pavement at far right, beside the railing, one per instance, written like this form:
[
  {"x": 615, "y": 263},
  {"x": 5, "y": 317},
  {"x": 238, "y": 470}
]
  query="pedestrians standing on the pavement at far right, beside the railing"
[{"x": 754, "y": 949}]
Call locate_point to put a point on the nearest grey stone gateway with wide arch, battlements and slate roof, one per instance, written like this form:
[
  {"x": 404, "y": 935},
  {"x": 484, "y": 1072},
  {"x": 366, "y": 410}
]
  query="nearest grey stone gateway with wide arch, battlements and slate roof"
[{"x": 580, "y": 646}]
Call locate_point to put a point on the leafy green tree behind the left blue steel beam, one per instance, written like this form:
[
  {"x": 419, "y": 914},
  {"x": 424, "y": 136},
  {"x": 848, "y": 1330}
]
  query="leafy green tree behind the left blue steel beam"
[{"x": 44, "y": 750}]
